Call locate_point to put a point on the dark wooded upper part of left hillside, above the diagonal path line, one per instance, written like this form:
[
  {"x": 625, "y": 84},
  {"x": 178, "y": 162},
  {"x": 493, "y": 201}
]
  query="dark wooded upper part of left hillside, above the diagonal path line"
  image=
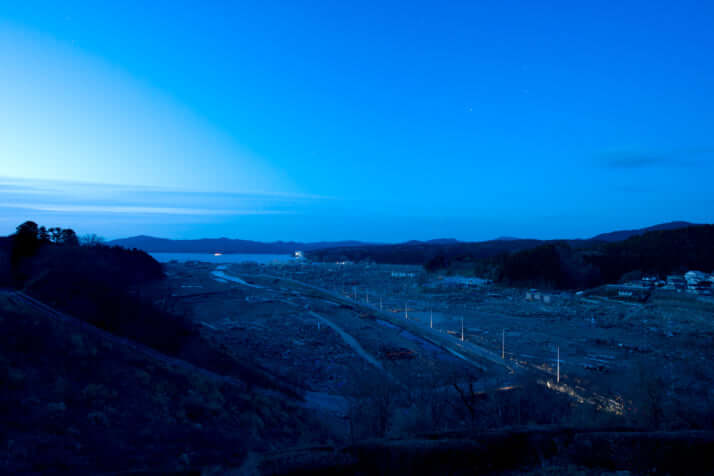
[{"x": 117, "y": 290}]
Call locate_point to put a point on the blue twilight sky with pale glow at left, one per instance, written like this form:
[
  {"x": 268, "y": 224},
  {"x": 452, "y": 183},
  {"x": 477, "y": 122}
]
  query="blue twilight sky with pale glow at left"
[{"x": 381, "y": 121}]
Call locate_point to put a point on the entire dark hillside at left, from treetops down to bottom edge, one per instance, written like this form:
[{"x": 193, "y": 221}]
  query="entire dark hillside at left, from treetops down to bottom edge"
[{"x": 116, "y": 382}]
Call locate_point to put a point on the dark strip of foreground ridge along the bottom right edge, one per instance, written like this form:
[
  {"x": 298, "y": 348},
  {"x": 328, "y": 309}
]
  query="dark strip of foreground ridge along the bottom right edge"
[{"x": 534, "y": 450}]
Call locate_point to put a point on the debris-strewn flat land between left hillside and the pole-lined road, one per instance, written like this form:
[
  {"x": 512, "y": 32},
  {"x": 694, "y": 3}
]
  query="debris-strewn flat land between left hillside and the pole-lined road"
[{"x": 315, "y": 340}]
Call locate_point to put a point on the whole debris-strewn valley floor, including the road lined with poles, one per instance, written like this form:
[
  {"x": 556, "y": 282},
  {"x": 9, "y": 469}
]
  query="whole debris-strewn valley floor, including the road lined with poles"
[{"x": 378, "y": 353}]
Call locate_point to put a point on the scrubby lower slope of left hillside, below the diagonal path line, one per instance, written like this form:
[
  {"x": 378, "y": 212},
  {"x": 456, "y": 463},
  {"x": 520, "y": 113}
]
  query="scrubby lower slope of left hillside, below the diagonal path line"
[{"x": 76, "y": 402}]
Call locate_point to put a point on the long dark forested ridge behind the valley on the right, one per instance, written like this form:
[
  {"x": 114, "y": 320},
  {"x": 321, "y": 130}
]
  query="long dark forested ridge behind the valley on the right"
[{"x": 558, "y": 263}]
